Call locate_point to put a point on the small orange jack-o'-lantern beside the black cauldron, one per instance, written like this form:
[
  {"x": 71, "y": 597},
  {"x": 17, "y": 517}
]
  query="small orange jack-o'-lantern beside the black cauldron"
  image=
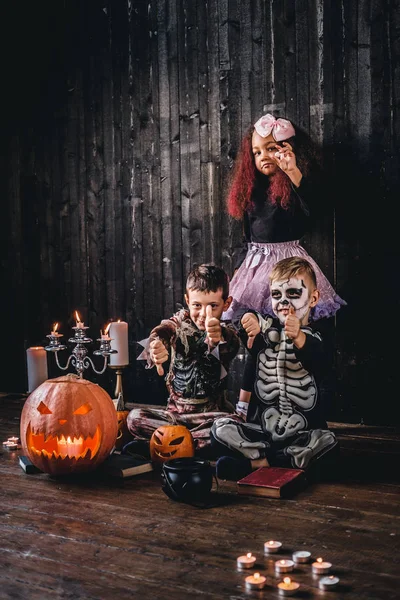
[{"x": 171, "y": 441}]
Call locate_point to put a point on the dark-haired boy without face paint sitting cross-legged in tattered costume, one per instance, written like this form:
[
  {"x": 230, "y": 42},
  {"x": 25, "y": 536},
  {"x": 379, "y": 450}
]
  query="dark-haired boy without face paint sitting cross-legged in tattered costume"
[{"x": 200, "y": 349}]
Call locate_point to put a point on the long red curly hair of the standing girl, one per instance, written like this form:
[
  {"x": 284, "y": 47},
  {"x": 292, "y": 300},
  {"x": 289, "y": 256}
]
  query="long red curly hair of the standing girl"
[{"x": 239, "y": 198}]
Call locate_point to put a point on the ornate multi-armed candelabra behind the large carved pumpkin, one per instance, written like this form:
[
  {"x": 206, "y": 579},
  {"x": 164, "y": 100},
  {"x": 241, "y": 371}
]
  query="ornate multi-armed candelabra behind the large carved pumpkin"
[{"x": 78, "y": 357}]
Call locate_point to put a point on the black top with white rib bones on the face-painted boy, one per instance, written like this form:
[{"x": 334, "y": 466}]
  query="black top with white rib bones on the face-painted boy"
[{"x": 286, "y": 380}]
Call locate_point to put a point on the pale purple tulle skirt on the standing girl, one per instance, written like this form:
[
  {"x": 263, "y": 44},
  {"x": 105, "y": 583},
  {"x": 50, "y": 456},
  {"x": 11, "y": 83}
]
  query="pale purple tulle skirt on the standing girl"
[{"x": 249, "y": 287}]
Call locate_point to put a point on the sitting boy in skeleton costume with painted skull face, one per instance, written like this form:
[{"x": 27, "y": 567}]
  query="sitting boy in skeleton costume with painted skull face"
[{"x": 285, "y": 423}]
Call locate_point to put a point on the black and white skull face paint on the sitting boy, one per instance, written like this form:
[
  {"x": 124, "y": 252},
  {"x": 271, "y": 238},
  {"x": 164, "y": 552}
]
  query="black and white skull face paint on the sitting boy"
[{"x": 290, "y": 292}]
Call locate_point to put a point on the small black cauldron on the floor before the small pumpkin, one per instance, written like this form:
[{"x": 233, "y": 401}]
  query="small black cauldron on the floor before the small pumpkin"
[{"x": 187, "y": 480}]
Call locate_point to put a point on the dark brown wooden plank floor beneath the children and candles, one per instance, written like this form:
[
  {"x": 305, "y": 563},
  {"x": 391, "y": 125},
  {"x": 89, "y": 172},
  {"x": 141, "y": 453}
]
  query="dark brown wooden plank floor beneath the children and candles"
[{"x": 92, "y": 538}]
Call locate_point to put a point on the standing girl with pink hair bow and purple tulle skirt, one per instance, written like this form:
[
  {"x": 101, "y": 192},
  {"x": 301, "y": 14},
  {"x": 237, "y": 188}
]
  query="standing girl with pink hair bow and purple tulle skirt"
[{"x": 275, "y": 192}]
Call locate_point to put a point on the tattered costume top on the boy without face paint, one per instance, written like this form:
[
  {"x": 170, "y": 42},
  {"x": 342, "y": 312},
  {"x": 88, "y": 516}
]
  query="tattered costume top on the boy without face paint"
[{"x": 196, "y": 378}]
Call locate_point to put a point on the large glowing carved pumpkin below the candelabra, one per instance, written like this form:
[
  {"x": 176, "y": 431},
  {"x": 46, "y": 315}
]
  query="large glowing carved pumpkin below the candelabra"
[{"x": 68, "y": 425}]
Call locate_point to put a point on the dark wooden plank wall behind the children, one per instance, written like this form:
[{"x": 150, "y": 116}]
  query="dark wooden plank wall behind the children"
[{"x": 122, "y": 123}]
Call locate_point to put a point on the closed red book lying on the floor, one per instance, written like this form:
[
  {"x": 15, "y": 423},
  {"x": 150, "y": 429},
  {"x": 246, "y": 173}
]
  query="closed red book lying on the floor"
[{"x": 273, "y": 482}]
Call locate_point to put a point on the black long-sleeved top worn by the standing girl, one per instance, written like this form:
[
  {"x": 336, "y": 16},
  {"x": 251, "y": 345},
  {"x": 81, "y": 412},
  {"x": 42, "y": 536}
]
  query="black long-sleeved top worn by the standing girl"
[{"x": 270, "y": 223}]
